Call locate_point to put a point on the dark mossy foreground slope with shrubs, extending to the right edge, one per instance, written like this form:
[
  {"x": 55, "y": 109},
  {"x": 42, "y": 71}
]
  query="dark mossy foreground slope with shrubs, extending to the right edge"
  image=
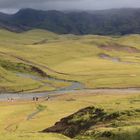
[{"x": 87, "y": 120}]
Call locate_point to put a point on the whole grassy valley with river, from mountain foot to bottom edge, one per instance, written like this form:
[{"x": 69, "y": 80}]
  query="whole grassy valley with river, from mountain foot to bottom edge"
[{"x": 91, "y": 75}]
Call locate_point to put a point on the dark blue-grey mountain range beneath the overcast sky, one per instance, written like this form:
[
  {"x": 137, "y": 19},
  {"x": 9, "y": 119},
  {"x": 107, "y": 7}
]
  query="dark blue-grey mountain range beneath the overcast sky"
[{"x": 103, "y": 22}]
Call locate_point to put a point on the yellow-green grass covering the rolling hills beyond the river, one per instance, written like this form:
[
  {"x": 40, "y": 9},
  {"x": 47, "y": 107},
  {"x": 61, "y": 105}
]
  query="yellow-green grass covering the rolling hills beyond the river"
[{"x": 72, "y": 57}]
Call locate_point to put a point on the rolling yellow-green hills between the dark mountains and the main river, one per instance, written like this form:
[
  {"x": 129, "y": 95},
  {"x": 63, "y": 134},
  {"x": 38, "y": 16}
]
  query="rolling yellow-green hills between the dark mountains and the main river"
[{"x": 50, "y": 61}]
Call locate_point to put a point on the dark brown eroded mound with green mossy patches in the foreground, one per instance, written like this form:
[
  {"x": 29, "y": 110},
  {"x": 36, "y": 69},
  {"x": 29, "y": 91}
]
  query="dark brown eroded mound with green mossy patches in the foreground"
[{"x": 81, "y": 121}]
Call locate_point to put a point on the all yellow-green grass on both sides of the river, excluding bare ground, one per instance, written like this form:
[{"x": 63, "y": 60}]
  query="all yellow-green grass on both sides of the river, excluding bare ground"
[{"x": 66, "y": 57}]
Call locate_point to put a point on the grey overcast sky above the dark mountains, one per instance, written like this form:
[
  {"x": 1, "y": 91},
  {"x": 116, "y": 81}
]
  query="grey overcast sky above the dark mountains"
[{"x": 11, "y": 6}]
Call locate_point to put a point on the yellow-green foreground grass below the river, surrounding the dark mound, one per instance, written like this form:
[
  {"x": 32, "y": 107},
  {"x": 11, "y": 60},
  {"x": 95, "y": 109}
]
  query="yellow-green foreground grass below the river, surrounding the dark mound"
[{"x": 14, "y": 124}]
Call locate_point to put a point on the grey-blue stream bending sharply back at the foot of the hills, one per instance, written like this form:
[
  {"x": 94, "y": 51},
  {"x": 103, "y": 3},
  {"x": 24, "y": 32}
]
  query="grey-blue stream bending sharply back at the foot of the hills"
[{"x": 74, "y": 86}]
